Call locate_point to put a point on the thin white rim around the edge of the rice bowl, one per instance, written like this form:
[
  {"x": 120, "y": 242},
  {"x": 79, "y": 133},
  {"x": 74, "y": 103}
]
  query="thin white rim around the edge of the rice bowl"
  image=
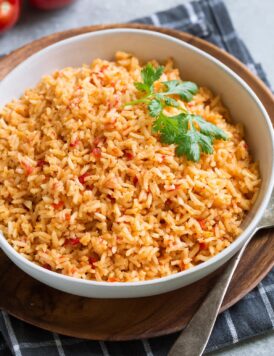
[{"x": 235, "y": 245}]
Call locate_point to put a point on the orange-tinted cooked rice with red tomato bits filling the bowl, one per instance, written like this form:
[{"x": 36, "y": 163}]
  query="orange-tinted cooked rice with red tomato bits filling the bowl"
[{"x": 88, "y": 191}]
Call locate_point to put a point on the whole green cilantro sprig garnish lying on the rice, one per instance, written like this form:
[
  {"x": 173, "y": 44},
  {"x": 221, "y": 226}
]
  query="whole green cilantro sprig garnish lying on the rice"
[{"x": 190, "y": 133}]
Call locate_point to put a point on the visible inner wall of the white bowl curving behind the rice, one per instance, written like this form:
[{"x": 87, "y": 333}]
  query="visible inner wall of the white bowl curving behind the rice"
[{"x": 193, "y": 64}]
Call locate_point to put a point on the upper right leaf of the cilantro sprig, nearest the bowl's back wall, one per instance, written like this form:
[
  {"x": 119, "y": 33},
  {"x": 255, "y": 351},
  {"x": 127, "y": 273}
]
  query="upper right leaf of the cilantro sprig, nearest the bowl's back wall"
[{"x": 185, "y": 90}]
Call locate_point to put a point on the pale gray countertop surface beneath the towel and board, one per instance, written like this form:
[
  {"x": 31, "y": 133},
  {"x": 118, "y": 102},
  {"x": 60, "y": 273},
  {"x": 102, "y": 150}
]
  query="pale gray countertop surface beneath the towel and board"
[{"x": 253, "y": 19}]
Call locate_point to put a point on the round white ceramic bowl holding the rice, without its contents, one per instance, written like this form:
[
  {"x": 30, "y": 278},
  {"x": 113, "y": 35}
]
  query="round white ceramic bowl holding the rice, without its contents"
[{"x": 194, "y": 65}]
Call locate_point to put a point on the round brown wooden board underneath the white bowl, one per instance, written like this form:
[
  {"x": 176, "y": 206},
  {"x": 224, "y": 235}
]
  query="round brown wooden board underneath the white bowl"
[{"x": 124, "y": 319}]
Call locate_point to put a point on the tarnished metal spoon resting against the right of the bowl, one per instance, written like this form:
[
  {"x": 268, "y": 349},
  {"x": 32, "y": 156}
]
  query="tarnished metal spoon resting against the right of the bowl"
[{"x": 194, "y": 338}]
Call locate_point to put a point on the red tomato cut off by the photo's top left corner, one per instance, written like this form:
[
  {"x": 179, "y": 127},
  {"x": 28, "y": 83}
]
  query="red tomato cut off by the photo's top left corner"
[{"x": 9, "y": 13}]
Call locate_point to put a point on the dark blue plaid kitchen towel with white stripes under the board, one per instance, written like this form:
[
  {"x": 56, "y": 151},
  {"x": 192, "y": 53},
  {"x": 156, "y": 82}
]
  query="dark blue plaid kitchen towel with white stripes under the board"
[{"x": 253, "y": 315}]
